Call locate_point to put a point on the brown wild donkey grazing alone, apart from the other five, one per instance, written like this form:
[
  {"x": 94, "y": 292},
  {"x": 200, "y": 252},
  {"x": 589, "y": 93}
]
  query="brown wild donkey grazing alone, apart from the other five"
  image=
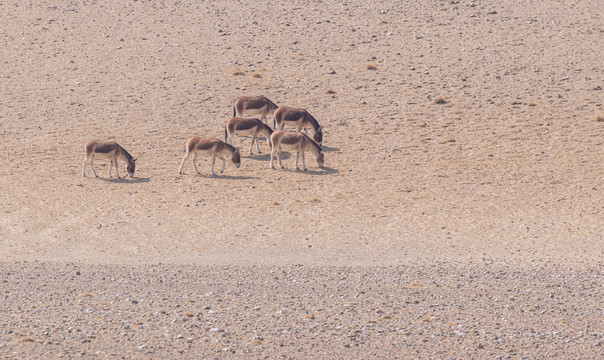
[{"x": 107, "y": 150}]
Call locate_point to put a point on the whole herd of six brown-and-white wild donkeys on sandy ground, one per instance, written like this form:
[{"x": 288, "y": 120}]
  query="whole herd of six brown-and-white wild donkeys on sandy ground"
[{"x": 278, "y": 140}]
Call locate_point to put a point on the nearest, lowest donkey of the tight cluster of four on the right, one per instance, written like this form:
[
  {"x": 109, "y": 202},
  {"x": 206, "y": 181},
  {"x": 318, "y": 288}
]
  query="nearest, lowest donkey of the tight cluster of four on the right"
[{"x": 295, "y": 141}]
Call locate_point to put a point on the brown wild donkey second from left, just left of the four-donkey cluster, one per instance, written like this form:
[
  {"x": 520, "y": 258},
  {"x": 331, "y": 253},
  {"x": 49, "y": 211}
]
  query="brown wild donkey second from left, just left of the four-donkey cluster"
[{"x": 213, "y": 148}]
